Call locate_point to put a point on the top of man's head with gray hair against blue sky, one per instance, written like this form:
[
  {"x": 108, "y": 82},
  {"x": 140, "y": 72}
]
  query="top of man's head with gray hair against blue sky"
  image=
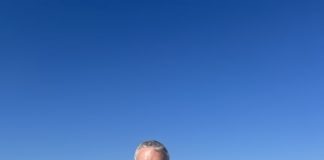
[{"x": 151, "y": 150}]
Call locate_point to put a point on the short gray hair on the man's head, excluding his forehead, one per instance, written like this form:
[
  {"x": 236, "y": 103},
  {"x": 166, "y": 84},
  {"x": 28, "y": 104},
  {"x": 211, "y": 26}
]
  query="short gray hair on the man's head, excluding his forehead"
[{"x": 156, "y": 145}]
